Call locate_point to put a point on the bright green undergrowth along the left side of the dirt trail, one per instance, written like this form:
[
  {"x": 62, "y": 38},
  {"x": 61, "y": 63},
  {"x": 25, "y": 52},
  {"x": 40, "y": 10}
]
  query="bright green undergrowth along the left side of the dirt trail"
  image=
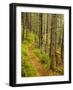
[{"x": 27, "y": 68}]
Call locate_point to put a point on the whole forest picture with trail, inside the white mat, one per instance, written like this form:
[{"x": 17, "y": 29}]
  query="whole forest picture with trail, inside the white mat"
[{"x": 42, "y": 44}]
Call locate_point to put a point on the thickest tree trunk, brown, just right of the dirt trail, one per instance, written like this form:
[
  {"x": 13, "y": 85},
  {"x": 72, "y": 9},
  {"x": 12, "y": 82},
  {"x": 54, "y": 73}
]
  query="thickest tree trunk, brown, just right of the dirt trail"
[{"x": 53, "y": 42}]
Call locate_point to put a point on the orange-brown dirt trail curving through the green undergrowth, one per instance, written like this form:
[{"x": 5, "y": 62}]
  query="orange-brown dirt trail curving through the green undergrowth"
[{"x": 35, "y": 61}]
